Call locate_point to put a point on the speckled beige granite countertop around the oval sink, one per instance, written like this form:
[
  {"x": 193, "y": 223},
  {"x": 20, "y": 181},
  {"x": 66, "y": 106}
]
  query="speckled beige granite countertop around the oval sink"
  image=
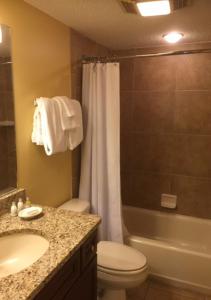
[{"x": 65, "y": 232}]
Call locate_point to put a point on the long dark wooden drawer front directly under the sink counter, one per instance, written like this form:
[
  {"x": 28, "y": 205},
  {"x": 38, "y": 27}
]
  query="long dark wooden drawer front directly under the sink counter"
[{"x": 60, "y": 284}]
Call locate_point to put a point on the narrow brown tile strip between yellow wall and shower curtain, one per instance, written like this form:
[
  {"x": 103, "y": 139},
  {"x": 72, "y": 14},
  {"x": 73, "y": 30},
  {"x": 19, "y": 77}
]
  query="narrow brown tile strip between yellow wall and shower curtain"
[{"x": 80, "y": 45}]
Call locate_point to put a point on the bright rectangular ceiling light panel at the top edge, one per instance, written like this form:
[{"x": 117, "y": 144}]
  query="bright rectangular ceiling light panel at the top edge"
[{"x": 154, "y": 8}]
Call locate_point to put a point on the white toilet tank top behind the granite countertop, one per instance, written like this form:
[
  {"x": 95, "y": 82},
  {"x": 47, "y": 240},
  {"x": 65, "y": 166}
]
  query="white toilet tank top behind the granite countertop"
[{"x": 76, "y": 205}]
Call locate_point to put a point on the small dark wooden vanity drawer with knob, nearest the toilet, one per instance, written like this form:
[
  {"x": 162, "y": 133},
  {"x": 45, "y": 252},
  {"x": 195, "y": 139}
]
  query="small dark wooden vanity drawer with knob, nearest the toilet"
[{"x": 88, "y": 250}]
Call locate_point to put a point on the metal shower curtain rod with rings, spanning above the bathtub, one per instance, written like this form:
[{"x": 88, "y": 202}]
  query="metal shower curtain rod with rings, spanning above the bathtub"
[{"x": 88, "y": 59}]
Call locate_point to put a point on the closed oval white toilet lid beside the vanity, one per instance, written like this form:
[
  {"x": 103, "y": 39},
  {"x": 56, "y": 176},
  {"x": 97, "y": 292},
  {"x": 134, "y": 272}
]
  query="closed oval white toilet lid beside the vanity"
[{"x": 115, "y": 256}]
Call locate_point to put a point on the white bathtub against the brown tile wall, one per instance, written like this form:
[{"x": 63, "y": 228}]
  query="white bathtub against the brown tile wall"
[{"x": 178, "y": 248}]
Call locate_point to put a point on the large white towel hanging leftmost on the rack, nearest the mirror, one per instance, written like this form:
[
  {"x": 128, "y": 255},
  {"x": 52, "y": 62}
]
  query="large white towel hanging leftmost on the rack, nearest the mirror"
[{"x": 54, "y": 138}]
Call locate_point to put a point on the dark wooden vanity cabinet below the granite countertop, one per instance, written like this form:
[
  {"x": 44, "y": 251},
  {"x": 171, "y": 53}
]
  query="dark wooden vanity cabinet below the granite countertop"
[{"x": 77, "y": 279}]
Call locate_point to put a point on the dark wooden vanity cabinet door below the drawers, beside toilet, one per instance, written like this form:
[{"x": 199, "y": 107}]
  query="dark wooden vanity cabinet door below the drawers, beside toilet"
[{"x": 86, "y": 286}]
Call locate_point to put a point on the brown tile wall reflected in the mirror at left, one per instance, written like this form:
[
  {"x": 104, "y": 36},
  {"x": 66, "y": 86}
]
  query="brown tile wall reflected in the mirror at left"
[{"x": 8, "y": 167}]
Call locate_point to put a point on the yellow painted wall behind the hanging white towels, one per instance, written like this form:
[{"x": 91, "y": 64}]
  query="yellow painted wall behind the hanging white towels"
[{"x": 41, "y": 67}]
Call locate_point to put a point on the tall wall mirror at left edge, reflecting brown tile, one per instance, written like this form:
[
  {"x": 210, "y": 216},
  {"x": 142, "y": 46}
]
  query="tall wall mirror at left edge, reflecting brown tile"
[{"x": 8, "y": 166}]
